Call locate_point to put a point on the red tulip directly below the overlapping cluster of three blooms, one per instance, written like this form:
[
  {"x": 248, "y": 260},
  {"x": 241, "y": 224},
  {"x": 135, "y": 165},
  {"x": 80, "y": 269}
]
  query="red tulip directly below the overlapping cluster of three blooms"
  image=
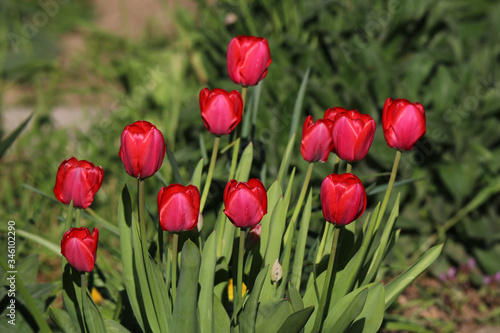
[{"x": 343, "y": 198}]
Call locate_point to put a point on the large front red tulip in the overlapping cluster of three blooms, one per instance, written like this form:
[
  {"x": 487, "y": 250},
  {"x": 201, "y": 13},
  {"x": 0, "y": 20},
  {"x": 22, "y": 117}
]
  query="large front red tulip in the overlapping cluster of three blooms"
[{"x": 352, "y": 135}]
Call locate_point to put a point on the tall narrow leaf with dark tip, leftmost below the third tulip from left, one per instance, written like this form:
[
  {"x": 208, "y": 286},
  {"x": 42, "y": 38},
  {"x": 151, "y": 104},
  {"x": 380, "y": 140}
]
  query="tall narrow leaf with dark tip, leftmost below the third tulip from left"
[{"x": 127, "y": 253}]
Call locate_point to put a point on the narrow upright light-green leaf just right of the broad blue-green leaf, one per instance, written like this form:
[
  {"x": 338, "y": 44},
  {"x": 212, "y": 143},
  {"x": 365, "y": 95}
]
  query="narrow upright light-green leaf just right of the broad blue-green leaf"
[{"x": 206, "y": 282}]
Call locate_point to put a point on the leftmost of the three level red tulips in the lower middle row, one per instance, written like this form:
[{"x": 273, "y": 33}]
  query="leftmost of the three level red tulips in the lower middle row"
[{"x": 179, "y": 207}]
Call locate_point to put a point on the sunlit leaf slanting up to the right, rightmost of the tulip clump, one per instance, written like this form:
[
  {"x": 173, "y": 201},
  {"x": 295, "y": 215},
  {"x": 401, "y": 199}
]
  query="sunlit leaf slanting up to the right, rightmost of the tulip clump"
[{"x": 399, "y": 284}]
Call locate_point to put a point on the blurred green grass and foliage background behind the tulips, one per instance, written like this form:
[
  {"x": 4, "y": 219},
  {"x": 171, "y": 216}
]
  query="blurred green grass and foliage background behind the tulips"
[{"x": 87, "y": 69}]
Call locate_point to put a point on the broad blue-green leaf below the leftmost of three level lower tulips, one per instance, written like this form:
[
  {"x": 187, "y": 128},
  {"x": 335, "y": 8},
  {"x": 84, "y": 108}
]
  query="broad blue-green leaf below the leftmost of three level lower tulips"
[{"x": 185, "y": 316}]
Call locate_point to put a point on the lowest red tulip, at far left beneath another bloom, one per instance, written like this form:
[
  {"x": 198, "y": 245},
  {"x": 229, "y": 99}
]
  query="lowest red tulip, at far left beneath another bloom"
[{"x": 80, "y": 248}]
